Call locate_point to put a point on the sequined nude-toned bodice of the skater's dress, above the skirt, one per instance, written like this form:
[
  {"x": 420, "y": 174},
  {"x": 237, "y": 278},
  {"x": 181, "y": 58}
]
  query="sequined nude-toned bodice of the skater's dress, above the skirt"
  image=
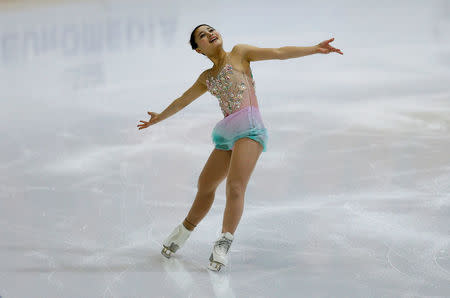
[{"x": 234, "y": 90}]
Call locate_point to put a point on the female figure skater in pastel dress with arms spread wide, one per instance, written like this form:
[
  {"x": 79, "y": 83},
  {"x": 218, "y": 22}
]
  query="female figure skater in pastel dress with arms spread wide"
[{"x": 239, "y": 137}]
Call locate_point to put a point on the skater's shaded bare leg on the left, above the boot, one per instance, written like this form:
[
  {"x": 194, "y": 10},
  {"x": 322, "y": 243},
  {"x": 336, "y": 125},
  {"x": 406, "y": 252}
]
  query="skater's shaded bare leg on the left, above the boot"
[{"x": 213, "y": 173}]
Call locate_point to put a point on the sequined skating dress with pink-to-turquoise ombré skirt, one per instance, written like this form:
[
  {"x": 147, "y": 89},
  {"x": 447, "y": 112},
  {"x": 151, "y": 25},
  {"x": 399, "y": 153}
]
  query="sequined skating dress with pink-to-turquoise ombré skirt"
[{"x": 235, "y": 91}]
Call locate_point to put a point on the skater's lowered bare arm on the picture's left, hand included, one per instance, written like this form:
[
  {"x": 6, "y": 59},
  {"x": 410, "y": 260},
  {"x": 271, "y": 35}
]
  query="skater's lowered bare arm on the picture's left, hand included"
[{"x": 197, "y": 89}]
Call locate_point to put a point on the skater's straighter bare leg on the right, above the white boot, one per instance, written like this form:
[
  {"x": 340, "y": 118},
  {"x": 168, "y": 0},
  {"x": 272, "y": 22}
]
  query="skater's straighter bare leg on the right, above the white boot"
[{"x": 243, "y": 160}]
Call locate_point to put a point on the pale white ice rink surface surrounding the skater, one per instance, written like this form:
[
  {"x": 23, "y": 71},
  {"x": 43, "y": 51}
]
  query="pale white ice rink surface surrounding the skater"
[{"x": 352, "y": 198}]
